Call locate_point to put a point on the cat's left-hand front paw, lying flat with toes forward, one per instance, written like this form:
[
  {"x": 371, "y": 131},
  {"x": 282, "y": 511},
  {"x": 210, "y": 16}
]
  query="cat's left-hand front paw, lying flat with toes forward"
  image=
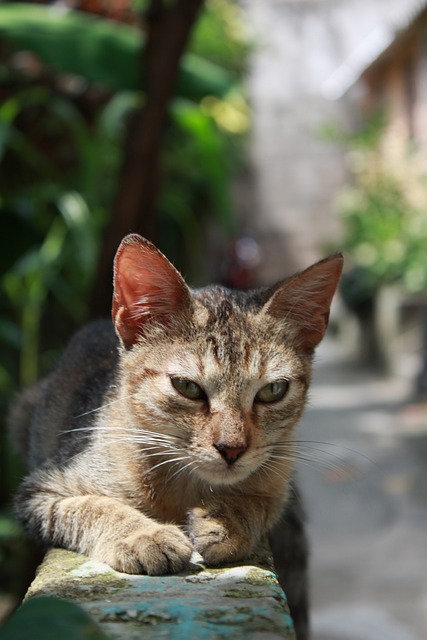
[{"x": 162, "y": 550}]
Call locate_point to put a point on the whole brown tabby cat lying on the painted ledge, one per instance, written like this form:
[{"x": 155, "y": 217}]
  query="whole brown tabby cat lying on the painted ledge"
[{"x": 170, "y": 429}]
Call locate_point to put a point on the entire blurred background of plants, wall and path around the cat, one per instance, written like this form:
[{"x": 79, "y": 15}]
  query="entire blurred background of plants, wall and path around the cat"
[{"x": 247, "y": 139}]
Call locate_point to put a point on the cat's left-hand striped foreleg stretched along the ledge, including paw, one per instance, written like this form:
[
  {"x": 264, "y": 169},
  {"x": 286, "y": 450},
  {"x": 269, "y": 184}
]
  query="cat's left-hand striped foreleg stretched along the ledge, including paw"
[{"x": 53, "y": 508}]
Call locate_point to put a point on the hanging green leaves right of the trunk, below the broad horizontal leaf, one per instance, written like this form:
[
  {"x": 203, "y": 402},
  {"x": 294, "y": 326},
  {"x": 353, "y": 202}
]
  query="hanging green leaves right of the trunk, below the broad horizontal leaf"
[{"x": 197, "y": 167}]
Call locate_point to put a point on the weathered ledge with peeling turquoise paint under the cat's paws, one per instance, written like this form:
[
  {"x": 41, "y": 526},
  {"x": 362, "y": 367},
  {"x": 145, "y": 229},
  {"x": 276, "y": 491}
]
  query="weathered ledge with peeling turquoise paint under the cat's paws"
[{"x": 243, "y": 602}]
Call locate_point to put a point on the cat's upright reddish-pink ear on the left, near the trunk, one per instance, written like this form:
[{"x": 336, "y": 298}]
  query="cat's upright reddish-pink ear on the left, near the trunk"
[{"x": 147, "y": 287}]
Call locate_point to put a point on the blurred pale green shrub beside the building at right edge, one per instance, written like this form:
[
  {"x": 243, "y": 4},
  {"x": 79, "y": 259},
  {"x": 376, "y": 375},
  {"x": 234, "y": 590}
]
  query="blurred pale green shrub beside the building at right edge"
[{"x": 385, "y": 226}]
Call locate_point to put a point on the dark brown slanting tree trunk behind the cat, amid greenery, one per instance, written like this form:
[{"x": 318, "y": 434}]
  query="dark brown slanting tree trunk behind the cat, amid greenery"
[{"x": 134, "y": 207}]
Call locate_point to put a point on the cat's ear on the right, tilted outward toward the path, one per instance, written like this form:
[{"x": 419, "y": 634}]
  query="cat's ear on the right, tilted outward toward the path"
[{"x": 305, "y": 299}]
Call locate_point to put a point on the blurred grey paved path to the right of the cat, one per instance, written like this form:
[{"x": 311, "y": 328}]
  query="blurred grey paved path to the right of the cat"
[{"x": 366, "y": 498}]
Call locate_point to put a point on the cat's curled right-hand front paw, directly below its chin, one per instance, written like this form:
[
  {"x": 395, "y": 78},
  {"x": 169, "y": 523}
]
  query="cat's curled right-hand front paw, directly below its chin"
[{"x": 217, "y": 540}]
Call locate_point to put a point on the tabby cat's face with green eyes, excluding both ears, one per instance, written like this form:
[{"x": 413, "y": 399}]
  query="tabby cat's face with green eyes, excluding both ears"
[{"x": 223, "y": 398}]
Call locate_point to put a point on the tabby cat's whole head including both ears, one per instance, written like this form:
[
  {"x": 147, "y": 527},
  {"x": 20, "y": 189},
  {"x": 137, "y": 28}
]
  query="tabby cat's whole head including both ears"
[{"x": 220, "y": 376}]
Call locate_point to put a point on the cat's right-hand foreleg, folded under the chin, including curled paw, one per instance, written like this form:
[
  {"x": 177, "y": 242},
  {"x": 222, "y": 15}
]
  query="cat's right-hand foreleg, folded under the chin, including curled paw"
[{"x": 228, "y": 529}]
